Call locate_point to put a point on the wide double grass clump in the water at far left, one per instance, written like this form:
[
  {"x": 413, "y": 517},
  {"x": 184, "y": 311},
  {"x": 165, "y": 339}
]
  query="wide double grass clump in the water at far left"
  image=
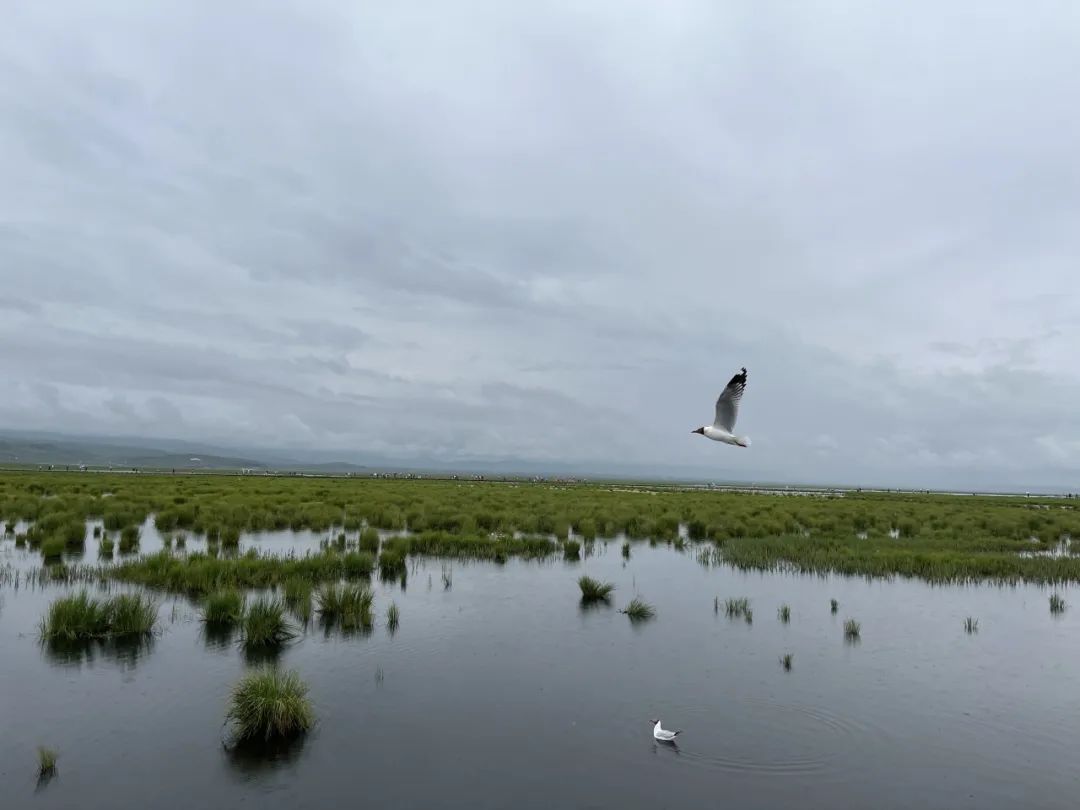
[{"x": 80, "y": 617}]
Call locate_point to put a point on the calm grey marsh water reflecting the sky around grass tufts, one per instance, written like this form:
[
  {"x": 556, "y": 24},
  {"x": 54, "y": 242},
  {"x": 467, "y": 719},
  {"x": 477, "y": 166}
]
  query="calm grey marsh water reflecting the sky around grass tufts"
[{"x": 502, "y": 692}]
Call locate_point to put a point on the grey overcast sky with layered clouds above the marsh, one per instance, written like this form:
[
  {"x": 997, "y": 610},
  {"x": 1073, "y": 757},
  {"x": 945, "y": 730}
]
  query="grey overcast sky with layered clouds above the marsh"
[{"x": 550, "y": 231}]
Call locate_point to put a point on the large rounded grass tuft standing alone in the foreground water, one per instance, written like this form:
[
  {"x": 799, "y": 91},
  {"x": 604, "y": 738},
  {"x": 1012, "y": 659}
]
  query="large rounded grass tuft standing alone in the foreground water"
[{"x": 271, "y": 706}]
